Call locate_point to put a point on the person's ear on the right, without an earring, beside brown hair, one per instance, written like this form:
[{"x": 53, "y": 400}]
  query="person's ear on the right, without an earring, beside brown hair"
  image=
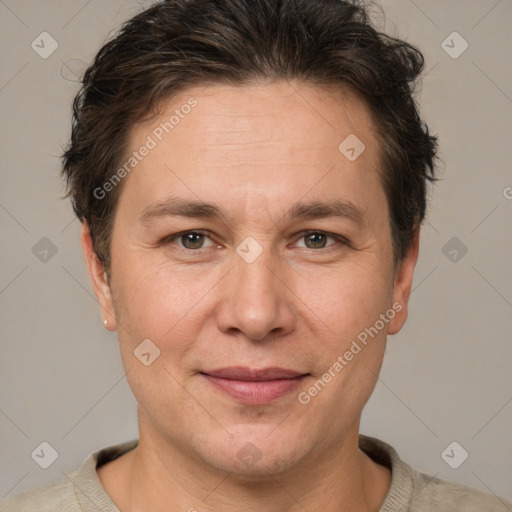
[{"x": 403, "y": 283}]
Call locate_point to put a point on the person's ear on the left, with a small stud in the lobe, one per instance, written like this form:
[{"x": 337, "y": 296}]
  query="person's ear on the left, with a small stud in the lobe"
[{"x": 98, "y": 278}]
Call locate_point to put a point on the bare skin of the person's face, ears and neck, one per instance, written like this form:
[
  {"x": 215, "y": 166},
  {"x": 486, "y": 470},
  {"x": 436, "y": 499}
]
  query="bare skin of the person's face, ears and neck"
[{"x": 255, "y": 151}]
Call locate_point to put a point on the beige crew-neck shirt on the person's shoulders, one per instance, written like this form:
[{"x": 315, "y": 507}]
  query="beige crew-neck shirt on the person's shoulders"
[{"x": 410, "y": 490}]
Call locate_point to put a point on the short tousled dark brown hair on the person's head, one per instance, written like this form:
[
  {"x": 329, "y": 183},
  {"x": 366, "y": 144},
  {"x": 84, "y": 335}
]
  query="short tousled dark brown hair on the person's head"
[{"x": 179, "y": 43}]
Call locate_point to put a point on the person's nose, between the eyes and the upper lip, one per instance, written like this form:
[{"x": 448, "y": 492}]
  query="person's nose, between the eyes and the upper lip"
[{"x": 257, "y": 299}]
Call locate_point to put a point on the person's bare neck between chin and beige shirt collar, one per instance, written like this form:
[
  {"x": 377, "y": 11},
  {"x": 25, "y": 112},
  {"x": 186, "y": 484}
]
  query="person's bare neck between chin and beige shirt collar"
[{"x": 160, "y": 476}]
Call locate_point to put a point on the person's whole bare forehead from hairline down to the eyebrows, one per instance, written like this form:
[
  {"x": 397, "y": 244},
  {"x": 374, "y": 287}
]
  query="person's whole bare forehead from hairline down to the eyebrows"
[{"x": 236, "y": 144}]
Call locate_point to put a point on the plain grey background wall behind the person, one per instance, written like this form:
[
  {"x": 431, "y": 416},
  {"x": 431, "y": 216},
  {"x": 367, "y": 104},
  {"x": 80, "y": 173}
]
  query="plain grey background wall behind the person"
[{"x": 446, "y": 376}]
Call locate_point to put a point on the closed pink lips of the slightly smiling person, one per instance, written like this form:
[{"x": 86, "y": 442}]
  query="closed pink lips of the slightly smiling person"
[{"x": 255, "y": 386}]
